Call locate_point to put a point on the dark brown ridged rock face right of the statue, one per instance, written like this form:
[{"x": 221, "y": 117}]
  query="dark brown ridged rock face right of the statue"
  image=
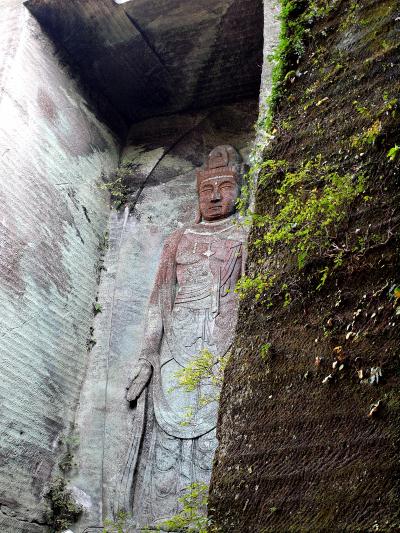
[{"x": 296, "y": 454}]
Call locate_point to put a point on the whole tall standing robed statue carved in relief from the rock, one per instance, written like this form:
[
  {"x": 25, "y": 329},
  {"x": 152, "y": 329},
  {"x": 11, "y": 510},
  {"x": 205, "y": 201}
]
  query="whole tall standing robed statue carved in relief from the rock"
[{"x": 192, "y": 307}]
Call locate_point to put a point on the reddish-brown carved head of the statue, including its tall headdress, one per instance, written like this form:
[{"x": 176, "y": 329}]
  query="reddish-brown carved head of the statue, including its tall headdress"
[{"x": 218, "y": 184}]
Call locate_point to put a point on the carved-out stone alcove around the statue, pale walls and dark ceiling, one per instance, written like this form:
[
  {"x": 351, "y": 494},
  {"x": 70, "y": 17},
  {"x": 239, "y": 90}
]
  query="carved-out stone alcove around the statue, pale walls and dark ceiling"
[{"x": 95, "y": 84}]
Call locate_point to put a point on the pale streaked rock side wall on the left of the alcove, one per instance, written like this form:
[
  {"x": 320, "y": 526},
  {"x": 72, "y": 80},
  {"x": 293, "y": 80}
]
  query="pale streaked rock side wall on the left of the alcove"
[{"x": 52, "y": 153}]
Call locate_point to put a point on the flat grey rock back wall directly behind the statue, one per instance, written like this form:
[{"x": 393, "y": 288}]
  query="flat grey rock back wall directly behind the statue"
[{"x": 166, "y": 150}]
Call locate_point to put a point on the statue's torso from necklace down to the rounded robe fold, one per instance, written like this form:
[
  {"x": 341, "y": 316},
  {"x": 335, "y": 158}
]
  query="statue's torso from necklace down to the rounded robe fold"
[{"x": 208, "y": 265}]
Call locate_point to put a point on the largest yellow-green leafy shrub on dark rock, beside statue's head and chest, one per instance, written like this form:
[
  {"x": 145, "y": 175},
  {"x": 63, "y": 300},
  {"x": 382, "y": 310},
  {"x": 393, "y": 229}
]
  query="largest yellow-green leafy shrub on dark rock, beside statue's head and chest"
[{"x": 309, "y": 204}]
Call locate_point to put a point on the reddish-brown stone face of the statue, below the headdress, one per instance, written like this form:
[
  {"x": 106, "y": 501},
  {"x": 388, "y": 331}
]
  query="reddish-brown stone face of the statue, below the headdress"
[{"x": 217, "y": 197}]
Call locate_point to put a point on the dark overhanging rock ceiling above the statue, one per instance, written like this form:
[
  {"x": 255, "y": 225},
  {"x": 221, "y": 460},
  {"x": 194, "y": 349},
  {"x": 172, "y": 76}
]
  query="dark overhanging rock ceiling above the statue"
[{"x": 145, "y": 58}]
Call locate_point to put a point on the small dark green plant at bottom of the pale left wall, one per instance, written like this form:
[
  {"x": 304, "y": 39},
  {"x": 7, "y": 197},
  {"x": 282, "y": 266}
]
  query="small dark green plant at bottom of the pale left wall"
[{"x": 64, "y": 511}]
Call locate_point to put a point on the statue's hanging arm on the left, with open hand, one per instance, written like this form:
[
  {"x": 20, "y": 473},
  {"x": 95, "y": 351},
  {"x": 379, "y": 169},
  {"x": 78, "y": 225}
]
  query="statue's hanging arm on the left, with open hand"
[{"x": 149, "y": 356}]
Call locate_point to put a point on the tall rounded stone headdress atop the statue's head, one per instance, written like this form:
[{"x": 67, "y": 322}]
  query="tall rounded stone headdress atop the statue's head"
[{"x": 223, "y": 161}]
